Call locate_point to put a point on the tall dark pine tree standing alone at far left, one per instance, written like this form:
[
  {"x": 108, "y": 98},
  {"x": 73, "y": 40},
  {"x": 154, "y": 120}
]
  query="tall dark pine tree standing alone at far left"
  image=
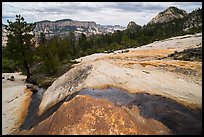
[{"x": 20, "y": 44}]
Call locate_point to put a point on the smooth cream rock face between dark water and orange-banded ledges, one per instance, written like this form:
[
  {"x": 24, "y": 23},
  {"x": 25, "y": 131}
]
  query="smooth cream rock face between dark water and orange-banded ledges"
[{"x": 148, "y": 79}]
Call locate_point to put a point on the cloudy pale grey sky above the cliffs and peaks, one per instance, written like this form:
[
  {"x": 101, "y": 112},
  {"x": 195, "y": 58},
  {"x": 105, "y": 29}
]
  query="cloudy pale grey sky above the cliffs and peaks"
[{"x": 104, "y": 13}]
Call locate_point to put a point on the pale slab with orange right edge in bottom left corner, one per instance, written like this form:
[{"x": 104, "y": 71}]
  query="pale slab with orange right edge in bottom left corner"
[{"x": 15, "y": 108}]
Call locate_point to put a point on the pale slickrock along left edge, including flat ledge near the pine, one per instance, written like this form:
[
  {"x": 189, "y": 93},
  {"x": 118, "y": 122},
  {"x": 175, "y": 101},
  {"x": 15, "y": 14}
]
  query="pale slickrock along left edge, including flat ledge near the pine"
[{"x": 15, "y": 102}]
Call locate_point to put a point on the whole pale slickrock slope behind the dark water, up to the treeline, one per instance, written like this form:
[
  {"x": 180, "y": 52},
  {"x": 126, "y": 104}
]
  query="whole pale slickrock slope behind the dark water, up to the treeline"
[{"x": 139, "y": 70}]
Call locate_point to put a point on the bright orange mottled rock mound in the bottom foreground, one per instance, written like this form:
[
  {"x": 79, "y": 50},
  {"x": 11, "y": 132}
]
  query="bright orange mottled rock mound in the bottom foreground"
[{"x": 85, "y": 115}]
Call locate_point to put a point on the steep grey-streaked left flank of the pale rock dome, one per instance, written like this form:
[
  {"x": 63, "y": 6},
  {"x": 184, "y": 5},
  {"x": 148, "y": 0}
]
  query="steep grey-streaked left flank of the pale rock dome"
[{"x": 65, "y": 85}]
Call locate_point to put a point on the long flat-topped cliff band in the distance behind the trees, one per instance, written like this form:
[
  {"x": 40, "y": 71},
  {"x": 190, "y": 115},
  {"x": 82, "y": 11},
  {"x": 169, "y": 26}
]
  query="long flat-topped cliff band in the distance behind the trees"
[{"x": 64, "y": 26}]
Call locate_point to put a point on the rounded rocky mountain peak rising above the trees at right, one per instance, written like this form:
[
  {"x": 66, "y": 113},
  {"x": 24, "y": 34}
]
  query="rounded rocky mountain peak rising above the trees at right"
[{"x": 169, "y": 14}]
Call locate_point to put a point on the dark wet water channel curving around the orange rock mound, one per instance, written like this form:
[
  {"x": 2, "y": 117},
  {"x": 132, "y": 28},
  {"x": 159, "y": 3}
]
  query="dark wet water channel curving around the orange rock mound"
[{"x": 178, "y": 118}]
